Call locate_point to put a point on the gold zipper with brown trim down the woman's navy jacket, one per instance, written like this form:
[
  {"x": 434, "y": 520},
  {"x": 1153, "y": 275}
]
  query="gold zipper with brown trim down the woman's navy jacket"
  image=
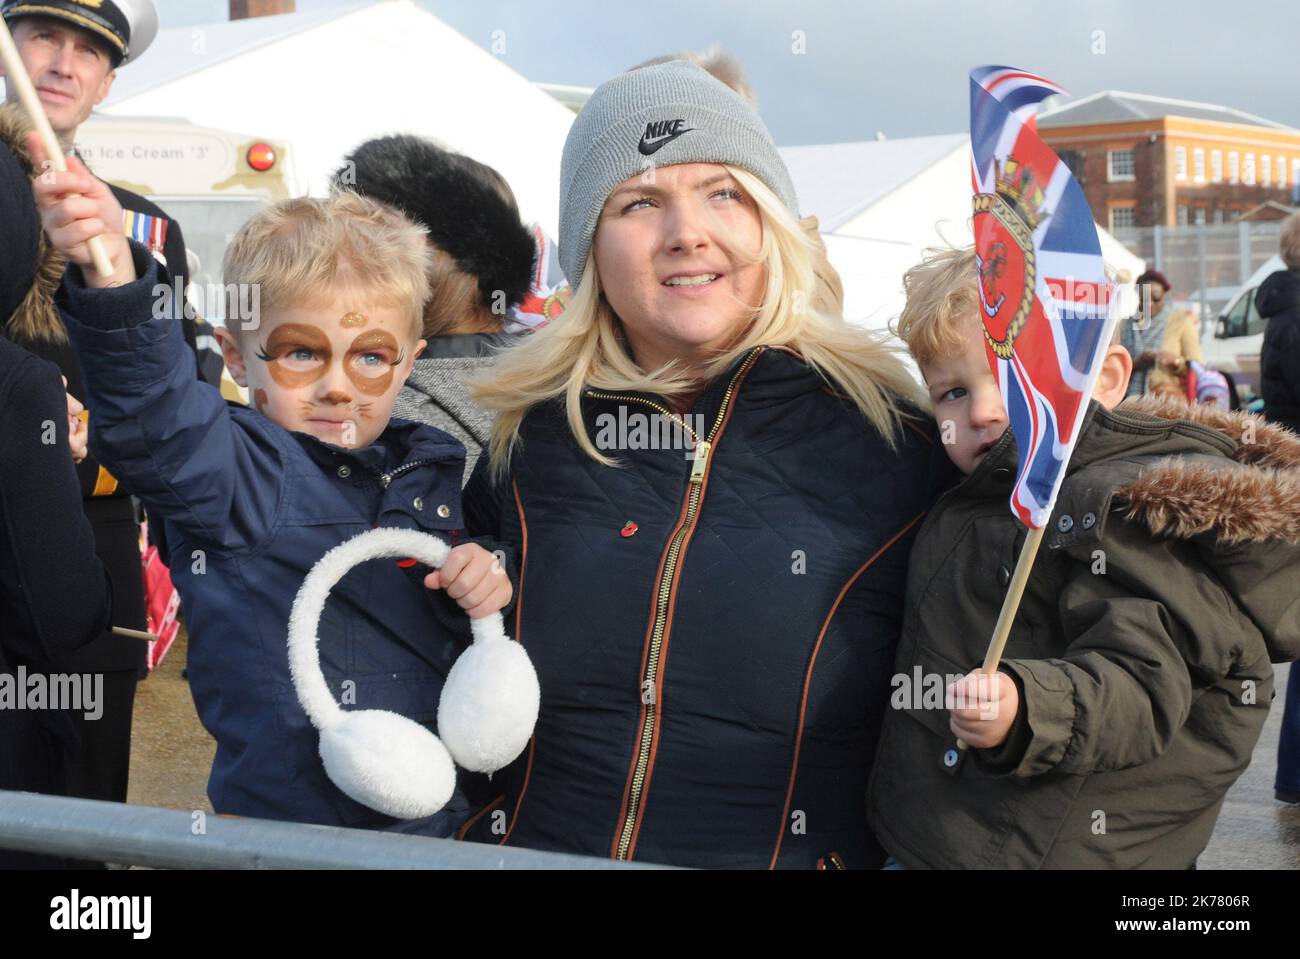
[{"x": 695, "y": 488}]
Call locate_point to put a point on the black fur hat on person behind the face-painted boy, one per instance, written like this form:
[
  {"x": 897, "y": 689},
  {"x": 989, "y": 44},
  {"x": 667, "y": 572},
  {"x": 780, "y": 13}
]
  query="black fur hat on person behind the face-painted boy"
[{"x": 457, "y": 199}]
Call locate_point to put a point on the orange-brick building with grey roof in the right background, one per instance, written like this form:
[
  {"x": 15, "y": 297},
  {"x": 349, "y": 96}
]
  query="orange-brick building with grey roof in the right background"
[{"x": 1154, "y": 162}]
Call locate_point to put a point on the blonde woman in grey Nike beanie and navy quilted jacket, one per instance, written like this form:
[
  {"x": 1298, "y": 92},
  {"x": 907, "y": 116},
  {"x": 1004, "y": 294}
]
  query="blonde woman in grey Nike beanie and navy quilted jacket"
[{"x": 712, "y": 489}]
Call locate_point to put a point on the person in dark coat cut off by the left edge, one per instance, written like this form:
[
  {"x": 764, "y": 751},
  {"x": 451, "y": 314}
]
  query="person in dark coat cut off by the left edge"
[{"x": 55, "y": 596}]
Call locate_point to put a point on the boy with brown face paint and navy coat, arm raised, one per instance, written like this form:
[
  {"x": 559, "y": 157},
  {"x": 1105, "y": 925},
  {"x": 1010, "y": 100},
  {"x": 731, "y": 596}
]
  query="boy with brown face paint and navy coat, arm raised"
[{"x": 250, "y": 498}]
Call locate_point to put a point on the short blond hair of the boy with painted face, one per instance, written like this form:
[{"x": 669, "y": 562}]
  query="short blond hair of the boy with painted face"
[{"x": 304, "y": 251}]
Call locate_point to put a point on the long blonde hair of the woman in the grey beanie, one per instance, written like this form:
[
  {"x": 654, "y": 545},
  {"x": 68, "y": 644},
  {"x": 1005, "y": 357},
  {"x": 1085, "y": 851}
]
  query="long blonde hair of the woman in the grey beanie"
[{"x": 586, "y": 349}]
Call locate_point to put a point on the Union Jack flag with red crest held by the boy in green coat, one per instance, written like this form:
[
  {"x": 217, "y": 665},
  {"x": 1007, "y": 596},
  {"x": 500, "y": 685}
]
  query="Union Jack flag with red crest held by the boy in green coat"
[{"x": 1045, "y": 296}]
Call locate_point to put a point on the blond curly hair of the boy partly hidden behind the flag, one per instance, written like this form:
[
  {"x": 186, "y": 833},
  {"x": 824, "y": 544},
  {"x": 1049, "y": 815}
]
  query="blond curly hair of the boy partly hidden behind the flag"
[{"x": 942, "y": 303}]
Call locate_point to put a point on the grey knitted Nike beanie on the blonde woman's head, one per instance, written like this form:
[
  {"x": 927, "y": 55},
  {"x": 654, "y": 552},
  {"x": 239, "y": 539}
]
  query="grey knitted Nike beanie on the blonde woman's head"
[{"x": 656, "y": 116}]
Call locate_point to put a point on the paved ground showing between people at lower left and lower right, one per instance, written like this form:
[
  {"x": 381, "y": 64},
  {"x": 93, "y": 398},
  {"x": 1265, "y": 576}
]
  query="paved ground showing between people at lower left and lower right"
[{"x": 172, "y": 754}]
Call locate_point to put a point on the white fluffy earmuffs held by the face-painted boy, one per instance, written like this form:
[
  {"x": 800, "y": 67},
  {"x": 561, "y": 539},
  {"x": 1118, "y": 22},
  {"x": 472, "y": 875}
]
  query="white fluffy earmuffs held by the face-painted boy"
[{"x": 383, "y": 760}]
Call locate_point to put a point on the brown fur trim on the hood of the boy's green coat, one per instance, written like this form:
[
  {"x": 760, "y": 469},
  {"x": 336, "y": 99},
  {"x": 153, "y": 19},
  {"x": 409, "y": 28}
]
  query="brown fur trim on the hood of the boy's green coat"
[{"x": 1251, "y": 496}]
